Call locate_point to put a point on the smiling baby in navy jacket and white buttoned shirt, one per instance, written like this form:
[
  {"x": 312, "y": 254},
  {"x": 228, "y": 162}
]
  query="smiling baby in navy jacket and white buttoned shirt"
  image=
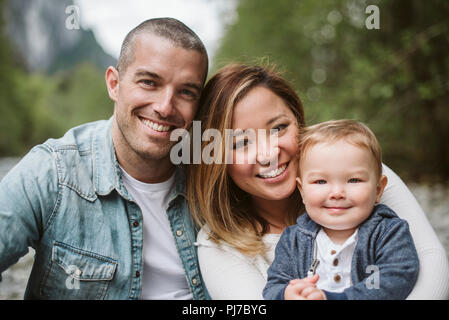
[{"x": 347, "y": 246}]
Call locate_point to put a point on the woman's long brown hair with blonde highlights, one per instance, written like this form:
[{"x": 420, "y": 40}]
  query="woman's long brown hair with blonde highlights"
[{"x": 213, "y": 197}]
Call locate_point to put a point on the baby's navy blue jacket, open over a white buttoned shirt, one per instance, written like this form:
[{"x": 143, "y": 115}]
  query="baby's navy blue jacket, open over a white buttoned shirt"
[{"x": 384, "y": 244}]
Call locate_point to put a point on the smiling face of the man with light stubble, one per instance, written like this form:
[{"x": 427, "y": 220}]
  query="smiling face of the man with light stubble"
[{"x": 157, "y": 93}]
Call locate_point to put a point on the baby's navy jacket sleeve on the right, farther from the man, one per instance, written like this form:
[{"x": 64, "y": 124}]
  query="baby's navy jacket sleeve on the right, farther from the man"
[{"x": 395, "y": 271}]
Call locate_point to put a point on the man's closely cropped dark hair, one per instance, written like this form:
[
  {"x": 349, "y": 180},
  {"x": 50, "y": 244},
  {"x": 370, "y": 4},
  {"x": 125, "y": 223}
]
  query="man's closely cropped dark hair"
[{"x": 168, "y": 28}]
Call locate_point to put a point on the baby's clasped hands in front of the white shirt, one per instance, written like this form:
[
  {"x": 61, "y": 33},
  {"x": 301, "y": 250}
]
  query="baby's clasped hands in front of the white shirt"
[{"x": 304, "y": 289}]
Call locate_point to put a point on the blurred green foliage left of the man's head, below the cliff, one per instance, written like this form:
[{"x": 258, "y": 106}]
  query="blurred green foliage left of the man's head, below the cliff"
[{"x": 35, "y": 107}]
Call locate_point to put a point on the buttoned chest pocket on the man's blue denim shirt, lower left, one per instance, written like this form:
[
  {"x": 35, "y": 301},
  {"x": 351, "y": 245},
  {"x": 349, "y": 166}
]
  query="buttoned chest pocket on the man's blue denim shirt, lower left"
[{"x": 77, "y": 274}]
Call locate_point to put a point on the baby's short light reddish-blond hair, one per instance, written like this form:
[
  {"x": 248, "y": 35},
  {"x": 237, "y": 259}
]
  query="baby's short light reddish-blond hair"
[{"x": 351, "y": 131}]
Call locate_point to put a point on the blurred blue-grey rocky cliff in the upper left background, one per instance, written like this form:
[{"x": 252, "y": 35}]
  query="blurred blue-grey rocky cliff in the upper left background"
[{"x": 38, "y": 30}]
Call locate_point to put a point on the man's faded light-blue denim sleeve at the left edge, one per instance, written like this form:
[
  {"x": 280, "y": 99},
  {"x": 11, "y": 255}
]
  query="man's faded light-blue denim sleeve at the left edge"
[{"x": 28, "y": 195}]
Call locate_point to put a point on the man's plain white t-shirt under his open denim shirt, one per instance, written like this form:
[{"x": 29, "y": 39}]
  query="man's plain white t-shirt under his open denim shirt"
[{"x": 163, "y": 275}]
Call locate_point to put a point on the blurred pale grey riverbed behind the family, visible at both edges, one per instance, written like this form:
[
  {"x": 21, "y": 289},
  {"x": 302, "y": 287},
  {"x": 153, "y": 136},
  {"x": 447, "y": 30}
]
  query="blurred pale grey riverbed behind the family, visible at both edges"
[{"x": 433, "y": 199}]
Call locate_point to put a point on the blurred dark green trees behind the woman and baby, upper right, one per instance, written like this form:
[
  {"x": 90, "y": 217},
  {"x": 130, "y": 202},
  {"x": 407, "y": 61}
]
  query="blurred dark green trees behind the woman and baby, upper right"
[{"x": 395, "y": 79}]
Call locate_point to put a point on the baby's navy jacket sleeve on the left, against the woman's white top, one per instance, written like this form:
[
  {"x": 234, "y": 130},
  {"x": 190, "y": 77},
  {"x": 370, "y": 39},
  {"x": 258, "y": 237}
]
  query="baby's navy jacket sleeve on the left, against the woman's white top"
[{"x": 284, "y": 267}]
